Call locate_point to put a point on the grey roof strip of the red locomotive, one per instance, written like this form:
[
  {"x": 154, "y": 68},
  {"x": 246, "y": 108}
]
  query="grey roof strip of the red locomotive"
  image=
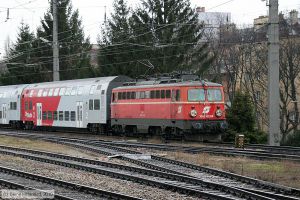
[{"x": 177, "y": 84}]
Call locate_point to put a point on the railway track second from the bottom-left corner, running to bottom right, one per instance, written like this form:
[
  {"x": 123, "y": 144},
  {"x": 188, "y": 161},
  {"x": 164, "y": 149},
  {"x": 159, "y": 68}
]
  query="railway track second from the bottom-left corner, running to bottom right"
[{"x": 180, "y": 183}]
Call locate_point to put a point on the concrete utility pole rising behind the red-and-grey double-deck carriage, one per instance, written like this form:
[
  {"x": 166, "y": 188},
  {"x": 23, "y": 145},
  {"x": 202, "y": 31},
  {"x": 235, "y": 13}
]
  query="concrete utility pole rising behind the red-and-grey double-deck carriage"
[{"x": 55, "y": 44}]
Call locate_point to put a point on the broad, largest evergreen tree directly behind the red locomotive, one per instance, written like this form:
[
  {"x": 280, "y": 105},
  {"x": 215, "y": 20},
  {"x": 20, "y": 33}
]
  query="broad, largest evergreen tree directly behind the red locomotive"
[{"x": 172, "y": 29}]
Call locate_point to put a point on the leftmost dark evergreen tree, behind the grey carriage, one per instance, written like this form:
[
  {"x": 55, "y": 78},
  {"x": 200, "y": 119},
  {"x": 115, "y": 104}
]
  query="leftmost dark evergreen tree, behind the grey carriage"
[{"x": 22, "y": 61}]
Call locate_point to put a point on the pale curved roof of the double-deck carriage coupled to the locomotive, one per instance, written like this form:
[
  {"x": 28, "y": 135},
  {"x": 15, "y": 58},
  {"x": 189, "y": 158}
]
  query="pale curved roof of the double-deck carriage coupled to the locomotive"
[{"x": 79, "y": 82}]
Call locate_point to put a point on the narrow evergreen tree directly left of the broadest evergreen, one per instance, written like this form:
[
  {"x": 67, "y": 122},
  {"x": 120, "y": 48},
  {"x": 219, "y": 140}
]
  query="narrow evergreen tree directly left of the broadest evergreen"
[{"x": 114, "y": 54}]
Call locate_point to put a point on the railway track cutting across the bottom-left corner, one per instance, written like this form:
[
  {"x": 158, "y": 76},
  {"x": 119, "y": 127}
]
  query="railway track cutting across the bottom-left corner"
[{"x": 11, "y": 178}]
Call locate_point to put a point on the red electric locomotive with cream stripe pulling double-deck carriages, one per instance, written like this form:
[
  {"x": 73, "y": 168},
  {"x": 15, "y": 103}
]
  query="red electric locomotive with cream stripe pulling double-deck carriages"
[{"x": 193, "y": 109}]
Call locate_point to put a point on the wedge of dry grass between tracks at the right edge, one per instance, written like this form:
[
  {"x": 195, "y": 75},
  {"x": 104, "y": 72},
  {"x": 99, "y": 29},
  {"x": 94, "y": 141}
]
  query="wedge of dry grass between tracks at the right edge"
[{"x": 280, "y": 172}]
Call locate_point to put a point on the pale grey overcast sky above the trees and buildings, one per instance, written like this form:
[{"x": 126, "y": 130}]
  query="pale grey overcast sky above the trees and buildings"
[{"x": 92, "y": 12}]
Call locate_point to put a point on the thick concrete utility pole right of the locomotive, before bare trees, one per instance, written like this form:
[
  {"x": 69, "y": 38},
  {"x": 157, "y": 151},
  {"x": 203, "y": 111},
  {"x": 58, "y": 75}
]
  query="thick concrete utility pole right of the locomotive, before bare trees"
[{"x": 273, "y": 74}]
